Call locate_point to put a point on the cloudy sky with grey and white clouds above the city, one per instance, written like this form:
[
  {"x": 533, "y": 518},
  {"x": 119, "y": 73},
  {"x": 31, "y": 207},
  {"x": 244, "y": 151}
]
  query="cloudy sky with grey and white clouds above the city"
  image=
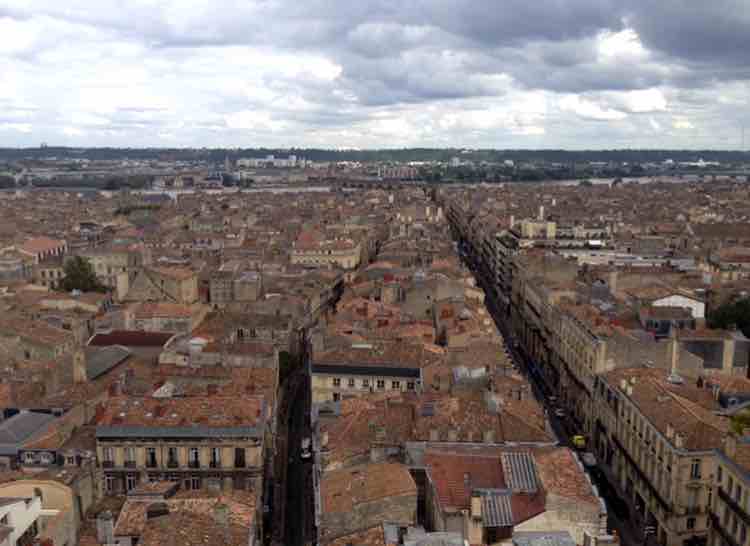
[{"x": 574, "y": 74}]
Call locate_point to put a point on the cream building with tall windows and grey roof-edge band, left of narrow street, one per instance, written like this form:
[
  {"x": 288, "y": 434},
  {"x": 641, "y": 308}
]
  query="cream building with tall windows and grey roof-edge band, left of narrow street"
[{"x": 200, "y": 442}]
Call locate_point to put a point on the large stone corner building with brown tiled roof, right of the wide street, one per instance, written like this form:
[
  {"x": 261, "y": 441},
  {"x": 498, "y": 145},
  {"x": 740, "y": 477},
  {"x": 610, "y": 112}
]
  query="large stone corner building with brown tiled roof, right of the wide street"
[{"x": 656, "y": 434}]
